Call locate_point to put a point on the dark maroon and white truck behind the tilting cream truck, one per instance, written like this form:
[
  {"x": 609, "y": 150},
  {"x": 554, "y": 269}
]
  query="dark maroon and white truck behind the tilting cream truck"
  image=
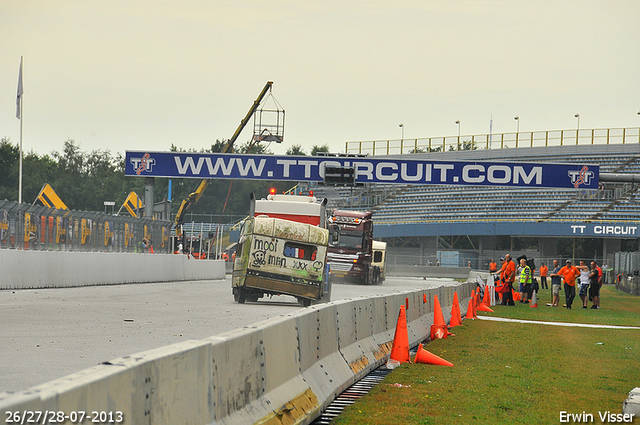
[{"x": 350, "y": 253}]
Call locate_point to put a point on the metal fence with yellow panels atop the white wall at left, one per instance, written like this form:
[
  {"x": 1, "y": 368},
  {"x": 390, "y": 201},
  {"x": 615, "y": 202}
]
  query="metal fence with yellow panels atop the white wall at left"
[{"x": 34, "y": 227}]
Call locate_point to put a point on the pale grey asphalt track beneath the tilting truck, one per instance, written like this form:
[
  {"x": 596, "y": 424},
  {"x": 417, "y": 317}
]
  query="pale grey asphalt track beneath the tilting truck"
[{"x": 49, "y": 333}]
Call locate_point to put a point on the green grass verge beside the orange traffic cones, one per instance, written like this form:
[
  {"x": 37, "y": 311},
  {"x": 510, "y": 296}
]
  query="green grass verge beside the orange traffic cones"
[{"x": 515, "y": 373}]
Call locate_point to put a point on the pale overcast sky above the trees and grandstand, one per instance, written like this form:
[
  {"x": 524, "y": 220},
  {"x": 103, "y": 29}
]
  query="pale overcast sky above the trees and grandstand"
[{"x": 143, "y": 74}]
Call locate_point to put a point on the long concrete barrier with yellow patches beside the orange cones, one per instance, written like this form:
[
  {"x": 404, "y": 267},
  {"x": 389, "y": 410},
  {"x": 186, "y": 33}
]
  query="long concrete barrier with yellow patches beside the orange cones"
[{"x": 283, "y": 370}]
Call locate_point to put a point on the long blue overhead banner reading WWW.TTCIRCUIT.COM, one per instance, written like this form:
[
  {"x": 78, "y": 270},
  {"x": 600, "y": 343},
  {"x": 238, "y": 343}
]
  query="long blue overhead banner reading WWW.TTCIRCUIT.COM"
[{"x": 367, "y": 170}]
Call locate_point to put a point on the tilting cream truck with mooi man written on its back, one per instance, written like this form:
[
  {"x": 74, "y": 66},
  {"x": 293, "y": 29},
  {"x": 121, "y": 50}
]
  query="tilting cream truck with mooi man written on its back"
[{"x": 282, "y": 250}]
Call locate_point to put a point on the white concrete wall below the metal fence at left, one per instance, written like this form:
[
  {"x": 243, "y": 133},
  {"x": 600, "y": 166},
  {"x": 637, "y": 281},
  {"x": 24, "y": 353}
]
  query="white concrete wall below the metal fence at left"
[{"x": 52, "y": 269}]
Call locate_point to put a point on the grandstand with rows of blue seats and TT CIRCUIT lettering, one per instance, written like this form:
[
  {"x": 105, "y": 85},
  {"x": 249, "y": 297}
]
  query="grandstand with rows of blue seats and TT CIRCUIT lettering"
[{"x": 427, "y": 213}]
